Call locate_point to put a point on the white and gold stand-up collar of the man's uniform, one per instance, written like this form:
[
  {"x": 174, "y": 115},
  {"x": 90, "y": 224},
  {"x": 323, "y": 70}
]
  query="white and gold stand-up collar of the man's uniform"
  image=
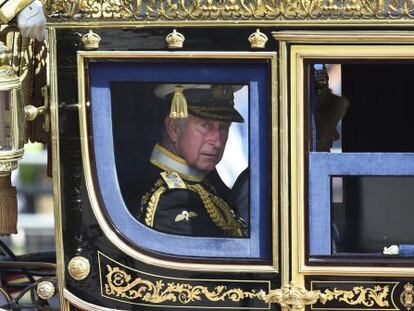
[{"x": 168, "y": 161}]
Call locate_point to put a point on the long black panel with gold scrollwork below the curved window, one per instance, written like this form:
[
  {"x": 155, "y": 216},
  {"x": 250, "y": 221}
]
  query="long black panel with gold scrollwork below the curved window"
[{"x": 130, "y": 286}]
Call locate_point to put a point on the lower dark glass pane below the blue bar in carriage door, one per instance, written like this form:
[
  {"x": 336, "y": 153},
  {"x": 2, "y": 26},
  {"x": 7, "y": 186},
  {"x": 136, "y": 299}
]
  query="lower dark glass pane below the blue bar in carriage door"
[{"x": 371, "y": 212}]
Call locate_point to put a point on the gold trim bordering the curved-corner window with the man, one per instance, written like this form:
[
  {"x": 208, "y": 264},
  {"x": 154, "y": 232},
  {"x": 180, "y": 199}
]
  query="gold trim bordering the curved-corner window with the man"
[{"x": 83, "y": 56}]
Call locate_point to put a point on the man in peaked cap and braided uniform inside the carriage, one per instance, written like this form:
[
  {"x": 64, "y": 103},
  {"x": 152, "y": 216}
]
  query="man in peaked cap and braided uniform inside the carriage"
[{"x": 181, "y": 197}]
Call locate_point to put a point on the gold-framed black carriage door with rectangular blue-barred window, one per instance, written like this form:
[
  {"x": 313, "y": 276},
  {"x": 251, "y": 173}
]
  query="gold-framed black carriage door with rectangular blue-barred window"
[{"x": 347, "y": 102}]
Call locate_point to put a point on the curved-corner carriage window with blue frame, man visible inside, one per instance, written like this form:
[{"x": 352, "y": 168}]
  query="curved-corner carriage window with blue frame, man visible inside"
[{"x": 183, "y": 160}]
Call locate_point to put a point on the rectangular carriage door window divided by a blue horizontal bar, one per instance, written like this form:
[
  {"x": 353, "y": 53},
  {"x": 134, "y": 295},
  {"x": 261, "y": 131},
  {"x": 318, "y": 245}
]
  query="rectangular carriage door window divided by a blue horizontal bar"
[{"x": 360, "y": 155}]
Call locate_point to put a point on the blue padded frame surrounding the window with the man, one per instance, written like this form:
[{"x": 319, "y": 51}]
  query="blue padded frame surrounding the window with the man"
[{"x": 253, "y": 73}]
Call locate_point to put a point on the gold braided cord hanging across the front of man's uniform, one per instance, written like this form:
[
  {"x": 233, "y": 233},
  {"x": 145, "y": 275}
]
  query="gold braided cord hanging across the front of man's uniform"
[{"x": 219, "y": 211}]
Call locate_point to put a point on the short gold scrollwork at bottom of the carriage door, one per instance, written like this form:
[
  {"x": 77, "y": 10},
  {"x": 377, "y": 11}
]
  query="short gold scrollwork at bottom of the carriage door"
[{"x": 359, "y": 295}]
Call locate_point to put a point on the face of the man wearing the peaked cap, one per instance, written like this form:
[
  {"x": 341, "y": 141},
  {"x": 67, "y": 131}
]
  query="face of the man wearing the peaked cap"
[{"x": 201, "y": 142}]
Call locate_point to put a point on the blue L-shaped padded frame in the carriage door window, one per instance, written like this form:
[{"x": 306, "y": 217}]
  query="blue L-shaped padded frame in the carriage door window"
[{"x": 324, "y": 165}]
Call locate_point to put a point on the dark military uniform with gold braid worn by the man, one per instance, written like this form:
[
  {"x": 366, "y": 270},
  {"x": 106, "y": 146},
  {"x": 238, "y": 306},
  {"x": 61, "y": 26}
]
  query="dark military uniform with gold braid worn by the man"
[{"x": 181, "y": 200}]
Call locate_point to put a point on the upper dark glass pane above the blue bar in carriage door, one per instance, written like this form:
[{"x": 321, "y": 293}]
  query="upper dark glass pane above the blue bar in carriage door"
[{"x": 361, "y": 107}]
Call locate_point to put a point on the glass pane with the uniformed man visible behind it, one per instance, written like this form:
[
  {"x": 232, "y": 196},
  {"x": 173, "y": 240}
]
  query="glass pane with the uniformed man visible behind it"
[{"x": 207, "y": 150}]
